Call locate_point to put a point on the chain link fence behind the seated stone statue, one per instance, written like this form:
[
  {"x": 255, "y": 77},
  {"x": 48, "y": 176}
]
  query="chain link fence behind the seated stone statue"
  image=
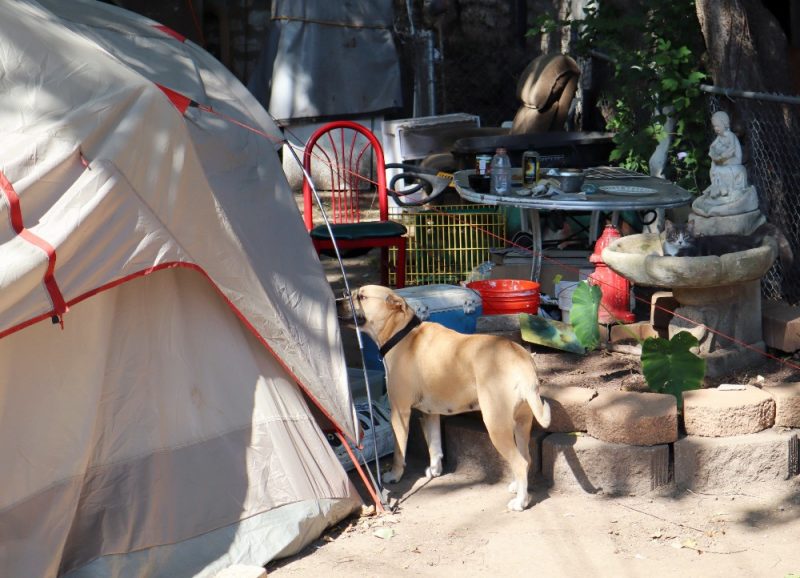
[{"x": 769, "y": 129}]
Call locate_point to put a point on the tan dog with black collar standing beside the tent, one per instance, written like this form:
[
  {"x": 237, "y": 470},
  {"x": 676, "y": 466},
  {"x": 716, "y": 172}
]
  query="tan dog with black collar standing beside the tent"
[{"x": 442, "y": 372}]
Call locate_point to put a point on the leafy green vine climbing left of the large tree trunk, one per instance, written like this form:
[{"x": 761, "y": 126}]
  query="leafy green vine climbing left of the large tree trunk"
[{"x": 657, "y": 53}]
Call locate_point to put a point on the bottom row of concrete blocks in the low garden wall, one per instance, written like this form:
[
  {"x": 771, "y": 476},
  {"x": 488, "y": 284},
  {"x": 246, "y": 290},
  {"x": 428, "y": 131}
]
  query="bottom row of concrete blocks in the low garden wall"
[{"x": 577, "y": 462}]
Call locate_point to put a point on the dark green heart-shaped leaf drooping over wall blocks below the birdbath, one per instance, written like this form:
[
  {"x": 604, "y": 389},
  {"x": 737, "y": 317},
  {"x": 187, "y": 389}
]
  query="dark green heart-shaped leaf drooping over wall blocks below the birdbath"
[{"x": 670, "y": 366}]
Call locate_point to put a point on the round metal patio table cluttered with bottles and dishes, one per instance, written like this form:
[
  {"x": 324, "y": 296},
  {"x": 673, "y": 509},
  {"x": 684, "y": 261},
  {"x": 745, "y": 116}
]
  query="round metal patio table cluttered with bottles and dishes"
[{"x": 616, "y": 190}]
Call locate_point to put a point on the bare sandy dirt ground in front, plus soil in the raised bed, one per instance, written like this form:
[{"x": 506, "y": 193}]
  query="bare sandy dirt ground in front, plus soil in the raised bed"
[{"x": 457, "y": 524}]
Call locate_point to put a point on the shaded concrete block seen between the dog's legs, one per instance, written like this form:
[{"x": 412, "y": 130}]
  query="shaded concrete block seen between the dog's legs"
[{"x": 468, "y": 449}]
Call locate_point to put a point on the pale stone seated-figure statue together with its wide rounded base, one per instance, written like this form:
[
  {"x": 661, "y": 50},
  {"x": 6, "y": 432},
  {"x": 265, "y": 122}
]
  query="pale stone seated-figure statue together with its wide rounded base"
[{"x": 729, "y": 194}]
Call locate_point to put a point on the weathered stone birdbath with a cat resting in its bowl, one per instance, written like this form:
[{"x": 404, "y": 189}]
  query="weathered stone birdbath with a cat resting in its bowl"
[{"x": 721, "y": 293}]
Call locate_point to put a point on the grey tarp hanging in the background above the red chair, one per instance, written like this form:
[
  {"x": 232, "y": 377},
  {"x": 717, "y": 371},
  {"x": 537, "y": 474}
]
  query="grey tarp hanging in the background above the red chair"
[{"x": 326, "y": 59}]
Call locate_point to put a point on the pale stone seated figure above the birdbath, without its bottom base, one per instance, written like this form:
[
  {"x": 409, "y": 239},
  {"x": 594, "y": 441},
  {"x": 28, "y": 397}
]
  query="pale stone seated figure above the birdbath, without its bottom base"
[{"x": 729, "y": 193}]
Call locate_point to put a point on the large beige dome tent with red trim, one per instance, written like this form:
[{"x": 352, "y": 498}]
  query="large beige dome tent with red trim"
[{"x": 169, "y": 423}]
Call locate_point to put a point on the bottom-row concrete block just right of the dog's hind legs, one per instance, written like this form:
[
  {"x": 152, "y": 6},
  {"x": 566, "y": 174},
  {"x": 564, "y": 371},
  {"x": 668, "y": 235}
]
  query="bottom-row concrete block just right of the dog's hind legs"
[{"x": 581, "y": 463}]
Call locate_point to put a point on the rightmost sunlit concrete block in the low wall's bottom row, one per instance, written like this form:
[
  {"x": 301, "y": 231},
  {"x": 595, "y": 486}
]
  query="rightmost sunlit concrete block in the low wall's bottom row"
[{"x": 731, "y": 463}]
